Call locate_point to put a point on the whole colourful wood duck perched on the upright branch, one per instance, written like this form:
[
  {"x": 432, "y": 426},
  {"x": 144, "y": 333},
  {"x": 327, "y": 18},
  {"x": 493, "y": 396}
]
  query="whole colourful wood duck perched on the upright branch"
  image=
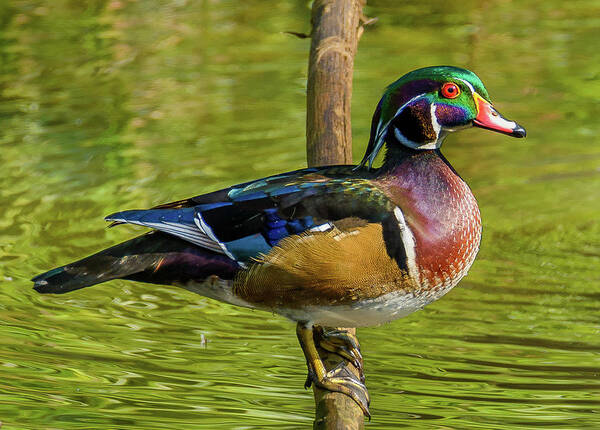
[{"x": 335, "y": 246}]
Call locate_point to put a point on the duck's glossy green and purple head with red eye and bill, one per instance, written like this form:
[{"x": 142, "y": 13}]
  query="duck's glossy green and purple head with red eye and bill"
[{"x": 422, "y": 107}]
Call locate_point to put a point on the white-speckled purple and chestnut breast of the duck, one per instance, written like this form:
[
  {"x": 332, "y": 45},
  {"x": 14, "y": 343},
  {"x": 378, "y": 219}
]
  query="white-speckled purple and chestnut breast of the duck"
[{"x": 443, "y": 217}]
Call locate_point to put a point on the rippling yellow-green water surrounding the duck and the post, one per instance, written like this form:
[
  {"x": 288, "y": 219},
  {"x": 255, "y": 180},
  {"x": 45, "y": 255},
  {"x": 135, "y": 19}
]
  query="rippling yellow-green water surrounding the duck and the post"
[{"x": 108, "y": 105}]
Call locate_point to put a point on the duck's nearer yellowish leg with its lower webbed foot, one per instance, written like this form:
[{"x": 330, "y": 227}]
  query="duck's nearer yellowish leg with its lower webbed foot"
[{"x": 338, "y": 379}]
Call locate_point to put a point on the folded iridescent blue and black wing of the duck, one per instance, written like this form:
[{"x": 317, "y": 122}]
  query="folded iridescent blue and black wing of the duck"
[{"x": 247, "y": 220}]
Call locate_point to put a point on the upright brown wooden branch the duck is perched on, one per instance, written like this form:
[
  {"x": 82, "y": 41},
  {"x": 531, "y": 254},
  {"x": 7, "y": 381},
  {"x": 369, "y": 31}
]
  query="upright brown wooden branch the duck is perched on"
[{"x": 336, "y": 28}]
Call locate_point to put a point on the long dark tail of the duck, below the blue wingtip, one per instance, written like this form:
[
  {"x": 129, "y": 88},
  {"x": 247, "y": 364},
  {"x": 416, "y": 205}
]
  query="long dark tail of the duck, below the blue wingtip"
[{"x": 155, "y": 257}]
